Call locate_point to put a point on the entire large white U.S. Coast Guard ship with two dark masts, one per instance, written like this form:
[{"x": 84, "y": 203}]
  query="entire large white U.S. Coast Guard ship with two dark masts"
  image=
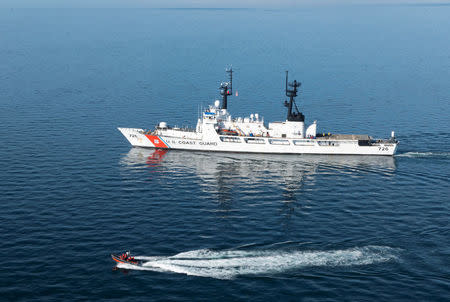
[{"x": 217, "y": 130}]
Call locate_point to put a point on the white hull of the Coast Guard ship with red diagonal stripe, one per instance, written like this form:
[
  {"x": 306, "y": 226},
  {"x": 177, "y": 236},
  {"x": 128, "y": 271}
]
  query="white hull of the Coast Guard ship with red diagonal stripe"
[{"x": 188, "y": 140}]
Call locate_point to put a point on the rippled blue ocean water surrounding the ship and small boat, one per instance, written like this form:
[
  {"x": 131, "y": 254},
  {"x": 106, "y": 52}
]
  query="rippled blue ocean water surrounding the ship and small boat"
[{"x": 215, "y": 226}]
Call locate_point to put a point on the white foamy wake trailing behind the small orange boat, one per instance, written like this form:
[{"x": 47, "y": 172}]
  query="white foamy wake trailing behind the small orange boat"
[{"x": 230, "y": 264}]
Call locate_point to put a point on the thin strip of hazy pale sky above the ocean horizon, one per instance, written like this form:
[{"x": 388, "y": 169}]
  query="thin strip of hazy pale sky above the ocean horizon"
[{"x": 198, "y": 3}]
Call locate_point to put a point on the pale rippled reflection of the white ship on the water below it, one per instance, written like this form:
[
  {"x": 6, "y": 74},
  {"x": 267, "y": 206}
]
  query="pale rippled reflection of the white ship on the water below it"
[{"x": 221, "y": 173}]
